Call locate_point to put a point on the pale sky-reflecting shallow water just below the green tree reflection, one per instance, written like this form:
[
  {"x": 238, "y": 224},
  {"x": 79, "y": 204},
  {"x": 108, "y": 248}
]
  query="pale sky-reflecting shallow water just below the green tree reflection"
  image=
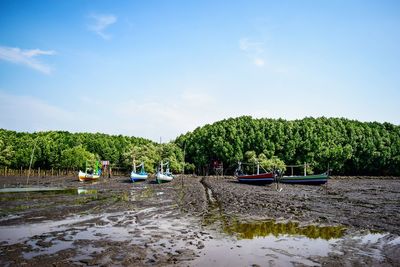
[{"x": 270, "y": 251}]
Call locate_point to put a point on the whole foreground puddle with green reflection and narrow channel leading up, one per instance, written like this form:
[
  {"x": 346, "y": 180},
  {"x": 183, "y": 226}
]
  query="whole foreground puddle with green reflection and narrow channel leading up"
[{"x": 244, "y": 243}]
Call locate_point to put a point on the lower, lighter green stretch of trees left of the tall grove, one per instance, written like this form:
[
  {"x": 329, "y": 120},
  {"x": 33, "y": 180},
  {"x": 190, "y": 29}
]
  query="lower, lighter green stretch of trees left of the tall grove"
[{"x": 65, "y": 150}]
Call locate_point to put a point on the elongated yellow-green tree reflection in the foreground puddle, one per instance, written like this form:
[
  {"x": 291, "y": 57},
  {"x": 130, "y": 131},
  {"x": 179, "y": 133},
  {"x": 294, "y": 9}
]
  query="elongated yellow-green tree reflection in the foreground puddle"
[{"x": 250, "y": 230}]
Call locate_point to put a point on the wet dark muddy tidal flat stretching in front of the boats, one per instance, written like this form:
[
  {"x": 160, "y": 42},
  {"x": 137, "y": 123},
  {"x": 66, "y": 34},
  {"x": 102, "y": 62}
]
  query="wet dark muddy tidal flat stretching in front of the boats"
[{"x": 114, "y": 222}]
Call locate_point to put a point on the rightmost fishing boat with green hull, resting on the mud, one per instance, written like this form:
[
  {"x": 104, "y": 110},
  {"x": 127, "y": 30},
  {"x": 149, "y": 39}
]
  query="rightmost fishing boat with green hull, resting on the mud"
[{"x": 316, "y": 179}]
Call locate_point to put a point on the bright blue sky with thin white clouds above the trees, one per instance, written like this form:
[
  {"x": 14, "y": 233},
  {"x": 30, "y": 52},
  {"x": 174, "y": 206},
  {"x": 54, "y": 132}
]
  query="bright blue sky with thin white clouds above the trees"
[{"x": 160, "y": 68}]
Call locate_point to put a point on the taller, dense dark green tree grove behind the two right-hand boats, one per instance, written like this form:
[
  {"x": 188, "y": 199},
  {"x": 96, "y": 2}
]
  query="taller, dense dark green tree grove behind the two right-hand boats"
[{"x": 347, "y": 146}]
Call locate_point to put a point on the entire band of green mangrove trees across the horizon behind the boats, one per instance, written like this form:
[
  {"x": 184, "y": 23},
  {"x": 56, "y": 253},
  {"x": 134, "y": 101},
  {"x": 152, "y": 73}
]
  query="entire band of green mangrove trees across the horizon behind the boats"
[{"x": 348, "y": 147}]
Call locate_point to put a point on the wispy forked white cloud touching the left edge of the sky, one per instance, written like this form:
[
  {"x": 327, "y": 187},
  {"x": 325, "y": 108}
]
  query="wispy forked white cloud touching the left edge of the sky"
[{"x": 26, "y": 57}]
